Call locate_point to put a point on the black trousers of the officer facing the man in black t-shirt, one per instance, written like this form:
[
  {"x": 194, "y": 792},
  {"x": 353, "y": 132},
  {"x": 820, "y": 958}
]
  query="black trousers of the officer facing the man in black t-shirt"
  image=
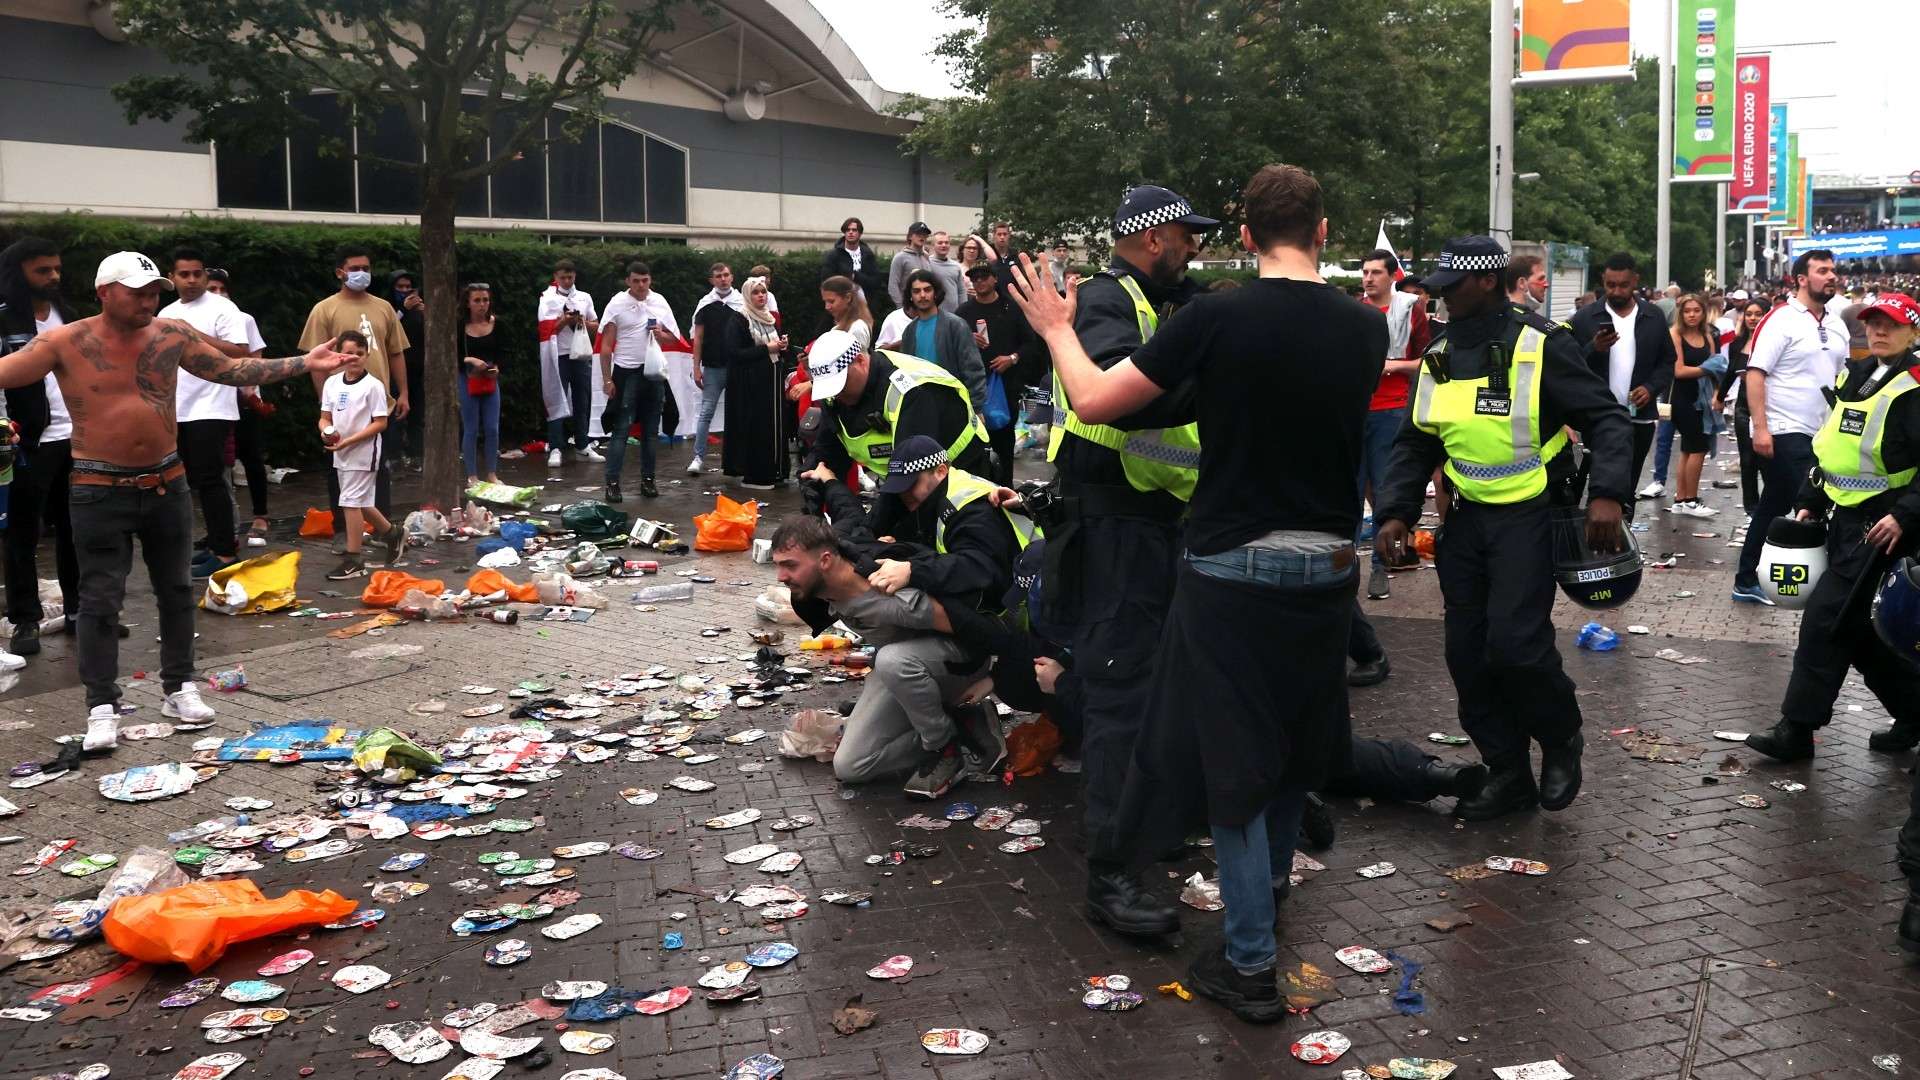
[{"x": 1124, "y": 581}]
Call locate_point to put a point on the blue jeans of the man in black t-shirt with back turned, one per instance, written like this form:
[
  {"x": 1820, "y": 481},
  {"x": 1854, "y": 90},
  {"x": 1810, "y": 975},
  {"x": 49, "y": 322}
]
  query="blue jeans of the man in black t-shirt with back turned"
[{"x": 1259, "y": 856}]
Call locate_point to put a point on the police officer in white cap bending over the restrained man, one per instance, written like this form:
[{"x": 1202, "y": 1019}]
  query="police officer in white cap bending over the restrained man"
[{"x": 873, "y": 403}]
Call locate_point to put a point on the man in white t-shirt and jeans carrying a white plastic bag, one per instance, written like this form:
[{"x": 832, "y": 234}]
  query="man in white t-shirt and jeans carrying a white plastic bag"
[{"x": 636, "y": 333}]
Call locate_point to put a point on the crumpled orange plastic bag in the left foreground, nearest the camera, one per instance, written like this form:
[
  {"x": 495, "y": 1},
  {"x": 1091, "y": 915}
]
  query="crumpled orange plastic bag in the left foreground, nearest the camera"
[{"x": 195, "y": 923}]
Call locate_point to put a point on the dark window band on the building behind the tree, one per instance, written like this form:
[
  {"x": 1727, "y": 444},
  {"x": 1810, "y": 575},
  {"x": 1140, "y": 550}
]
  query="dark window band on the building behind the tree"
[{"x": 612, "y": 174}]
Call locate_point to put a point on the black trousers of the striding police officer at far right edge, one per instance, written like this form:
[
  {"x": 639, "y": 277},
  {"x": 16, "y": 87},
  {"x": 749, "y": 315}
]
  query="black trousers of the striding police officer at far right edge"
[{"x": 1835, "y": 639}]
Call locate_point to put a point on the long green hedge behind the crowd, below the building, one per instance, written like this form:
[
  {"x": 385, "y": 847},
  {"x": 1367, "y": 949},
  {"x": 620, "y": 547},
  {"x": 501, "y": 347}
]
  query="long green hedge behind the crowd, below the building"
[{"x": 279, "y": 272}]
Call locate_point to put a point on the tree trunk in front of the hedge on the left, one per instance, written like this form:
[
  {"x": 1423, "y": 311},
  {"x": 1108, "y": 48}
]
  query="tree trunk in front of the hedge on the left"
[{"x": 443, "y": 478}]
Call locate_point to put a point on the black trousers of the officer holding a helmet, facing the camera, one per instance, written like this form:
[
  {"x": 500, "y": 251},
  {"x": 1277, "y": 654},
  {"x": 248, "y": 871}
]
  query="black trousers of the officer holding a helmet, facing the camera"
[{"x": 1497, "y": 579}]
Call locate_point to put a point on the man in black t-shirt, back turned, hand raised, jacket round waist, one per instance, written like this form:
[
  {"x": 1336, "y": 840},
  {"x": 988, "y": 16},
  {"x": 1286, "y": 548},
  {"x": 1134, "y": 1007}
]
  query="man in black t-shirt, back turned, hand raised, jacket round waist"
[{"x": 1247, "y": 710}]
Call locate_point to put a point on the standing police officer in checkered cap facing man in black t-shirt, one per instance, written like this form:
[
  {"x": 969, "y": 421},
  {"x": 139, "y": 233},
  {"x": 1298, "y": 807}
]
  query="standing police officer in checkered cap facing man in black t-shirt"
[{"x": 1115, "y": 531}]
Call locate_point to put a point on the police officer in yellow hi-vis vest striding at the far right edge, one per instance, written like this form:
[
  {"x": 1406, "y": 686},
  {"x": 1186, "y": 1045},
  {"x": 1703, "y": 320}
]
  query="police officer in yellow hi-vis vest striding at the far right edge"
[{"x": 1867, "y": 456}]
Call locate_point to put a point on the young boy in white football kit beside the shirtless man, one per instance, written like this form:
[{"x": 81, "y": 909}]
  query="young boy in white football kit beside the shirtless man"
[{"x": 352, "y": 420}]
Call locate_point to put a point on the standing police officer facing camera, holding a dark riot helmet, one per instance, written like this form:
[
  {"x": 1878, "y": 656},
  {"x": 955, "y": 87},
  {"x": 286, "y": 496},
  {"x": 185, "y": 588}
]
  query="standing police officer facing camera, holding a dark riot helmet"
[{"x": 1491, "y": 403}]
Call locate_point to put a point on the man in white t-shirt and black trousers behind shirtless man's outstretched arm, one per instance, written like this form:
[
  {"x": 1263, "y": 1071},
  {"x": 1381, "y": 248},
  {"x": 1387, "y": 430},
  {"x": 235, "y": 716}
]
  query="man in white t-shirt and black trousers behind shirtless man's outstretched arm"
[{"x": 208, "y": 412}]
